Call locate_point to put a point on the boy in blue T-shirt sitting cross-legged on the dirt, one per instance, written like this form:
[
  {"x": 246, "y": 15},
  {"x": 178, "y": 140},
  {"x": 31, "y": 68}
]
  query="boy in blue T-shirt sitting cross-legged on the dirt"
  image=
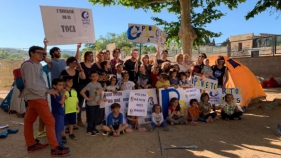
[{"x": 114, "y": 122}]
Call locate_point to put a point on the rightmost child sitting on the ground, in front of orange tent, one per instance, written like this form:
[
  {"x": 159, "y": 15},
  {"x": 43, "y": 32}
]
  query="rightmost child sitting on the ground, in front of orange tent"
[{"x": 230, "y": 110}]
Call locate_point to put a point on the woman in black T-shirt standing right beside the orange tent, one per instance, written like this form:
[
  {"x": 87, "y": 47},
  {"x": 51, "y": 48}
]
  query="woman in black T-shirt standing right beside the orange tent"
[{"x": 220, "y": 71}]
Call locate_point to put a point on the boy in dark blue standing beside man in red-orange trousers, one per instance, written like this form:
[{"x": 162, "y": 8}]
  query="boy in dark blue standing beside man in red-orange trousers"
[{"x": 57, "y": 109}]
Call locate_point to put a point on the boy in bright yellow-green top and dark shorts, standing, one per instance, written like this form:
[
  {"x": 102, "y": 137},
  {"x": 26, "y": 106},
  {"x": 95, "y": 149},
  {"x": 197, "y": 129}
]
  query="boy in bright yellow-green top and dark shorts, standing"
[{"x": 70, "y": 107}]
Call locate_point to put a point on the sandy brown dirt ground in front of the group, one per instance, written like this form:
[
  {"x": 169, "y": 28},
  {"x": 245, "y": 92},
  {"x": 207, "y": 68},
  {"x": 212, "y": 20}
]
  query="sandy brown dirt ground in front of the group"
[{"x": 252, "y": 137}]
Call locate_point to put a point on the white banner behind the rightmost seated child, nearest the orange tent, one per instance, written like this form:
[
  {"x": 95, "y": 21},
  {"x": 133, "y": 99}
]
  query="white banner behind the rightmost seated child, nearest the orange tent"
[{"x": 218, "y": 97}]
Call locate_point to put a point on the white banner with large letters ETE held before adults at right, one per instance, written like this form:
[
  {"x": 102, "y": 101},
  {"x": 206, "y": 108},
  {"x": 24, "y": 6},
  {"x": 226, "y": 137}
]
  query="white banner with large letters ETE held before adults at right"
[{"x": 205, "y": 83}]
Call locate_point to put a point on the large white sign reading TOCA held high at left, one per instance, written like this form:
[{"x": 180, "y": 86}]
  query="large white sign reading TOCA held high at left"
[{"x": 63, "y": 25}]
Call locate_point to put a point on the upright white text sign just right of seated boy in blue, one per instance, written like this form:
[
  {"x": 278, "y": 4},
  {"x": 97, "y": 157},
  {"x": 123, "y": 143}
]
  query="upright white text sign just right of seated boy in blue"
[{"x": 137, "y": 104}]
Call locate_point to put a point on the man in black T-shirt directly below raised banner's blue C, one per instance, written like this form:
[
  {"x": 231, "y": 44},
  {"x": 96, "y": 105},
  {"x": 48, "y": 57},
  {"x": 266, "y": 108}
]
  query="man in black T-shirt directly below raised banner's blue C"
[{"x": 131, "y": 65}]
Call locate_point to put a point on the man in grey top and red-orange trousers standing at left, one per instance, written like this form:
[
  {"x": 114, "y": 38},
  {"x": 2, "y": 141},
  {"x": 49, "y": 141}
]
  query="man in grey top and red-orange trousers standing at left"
[{"x": 35, "y": 93}]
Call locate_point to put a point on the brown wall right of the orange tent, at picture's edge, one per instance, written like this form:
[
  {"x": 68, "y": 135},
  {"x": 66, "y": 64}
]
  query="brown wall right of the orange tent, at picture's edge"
[{"x": 263, "y": 66}]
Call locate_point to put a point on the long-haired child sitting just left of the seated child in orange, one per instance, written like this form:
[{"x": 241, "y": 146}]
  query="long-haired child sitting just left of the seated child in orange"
[{"x": 175, "y": 114}]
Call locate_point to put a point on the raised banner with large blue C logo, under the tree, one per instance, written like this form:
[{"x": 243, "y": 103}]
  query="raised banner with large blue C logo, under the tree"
[{"x": 146, "y": 34}]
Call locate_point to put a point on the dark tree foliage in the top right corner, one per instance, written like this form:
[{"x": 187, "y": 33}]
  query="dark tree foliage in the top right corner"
[{"x": 262, "y": 5}]
